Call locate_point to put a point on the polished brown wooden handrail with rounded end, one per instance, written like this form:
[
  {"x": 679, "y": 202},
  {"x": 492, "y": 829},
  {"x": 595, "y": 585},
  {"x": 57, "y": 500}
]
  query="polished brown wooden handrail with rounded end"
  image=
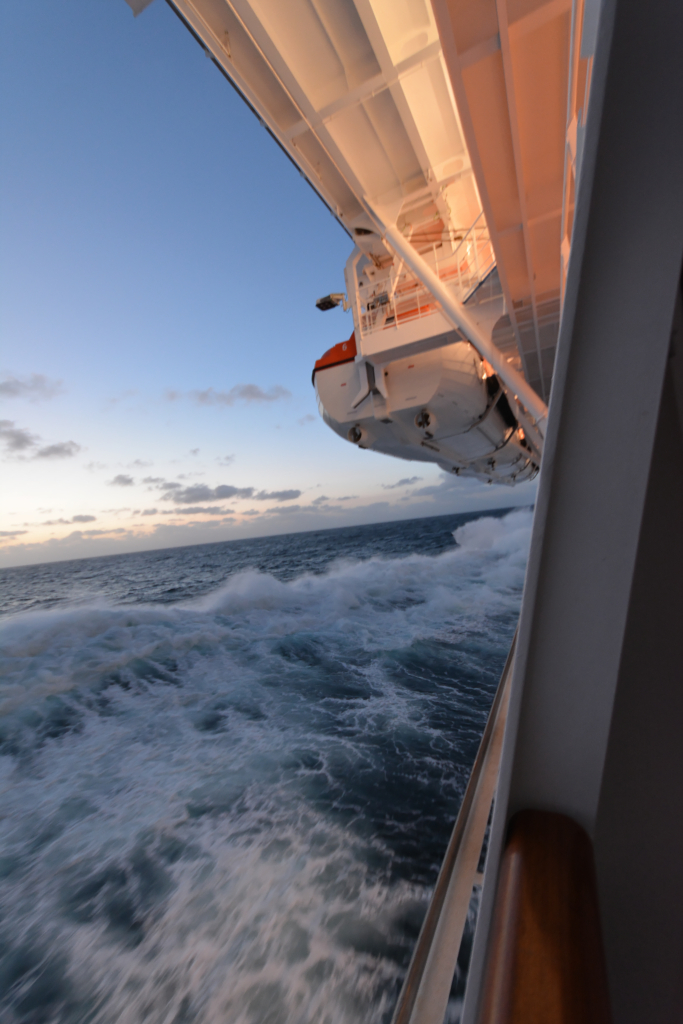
[{"x": 546, "y": 963}]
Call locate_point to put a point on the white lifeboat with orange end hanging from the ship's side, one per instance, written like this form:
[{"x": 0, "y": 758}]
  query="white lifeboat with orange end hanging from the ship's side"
[{"x": 445, "y": 406}]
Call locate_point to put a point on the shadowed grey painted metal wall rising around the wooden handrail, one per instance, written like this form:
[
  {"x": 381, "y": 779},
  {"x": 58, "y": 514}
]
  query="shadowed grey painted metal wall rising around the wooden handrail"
[{"x": 576, "y": 633}]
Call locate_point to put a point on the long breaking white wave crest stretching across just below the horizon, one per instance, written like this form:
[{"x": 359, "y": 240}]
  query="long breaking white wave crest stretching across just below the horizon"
[{"x": 380, "y": 600}]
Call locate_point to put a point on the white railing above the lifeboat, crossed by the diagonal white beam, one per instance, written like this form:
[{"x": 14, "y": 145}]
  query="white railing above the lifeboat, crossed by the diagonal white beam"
[{"x": 401, "y": 297}]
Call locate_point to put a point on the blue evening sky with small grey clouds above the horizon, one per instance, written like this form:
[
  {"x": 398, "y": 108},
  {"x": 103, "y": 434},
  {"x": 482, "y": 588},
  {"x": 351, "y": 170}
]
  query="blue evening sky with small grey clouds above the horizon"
[{"x": 160, "y": 261}]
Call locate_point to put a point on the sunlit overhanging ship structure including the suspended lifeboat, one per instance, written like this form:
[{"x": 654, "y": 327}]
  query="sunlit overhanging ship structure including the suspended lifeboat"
[{"x": 446, "y": 139}]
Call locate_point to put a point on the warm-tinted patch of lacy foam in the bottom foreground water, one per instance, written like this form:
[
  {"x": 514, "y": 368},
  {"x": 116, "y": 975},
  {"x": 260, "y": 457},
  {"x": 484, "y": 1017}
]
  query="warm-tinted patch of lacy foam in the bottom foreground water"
[{"x": 282, "y": 930}]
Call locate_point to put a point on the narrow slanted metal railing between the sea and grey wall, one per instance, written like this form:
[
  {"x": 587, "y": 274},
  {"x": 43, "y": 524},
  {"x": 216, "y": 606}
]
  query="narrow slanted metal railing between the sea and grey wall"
[{"x": 425, "y": 994}]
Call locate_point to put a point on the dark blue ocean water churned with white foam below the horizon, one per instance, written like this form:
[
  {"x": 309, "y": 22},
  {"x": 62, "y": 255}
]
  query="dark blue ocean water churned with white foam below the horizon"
[{"x": 230, "y": 773}]
